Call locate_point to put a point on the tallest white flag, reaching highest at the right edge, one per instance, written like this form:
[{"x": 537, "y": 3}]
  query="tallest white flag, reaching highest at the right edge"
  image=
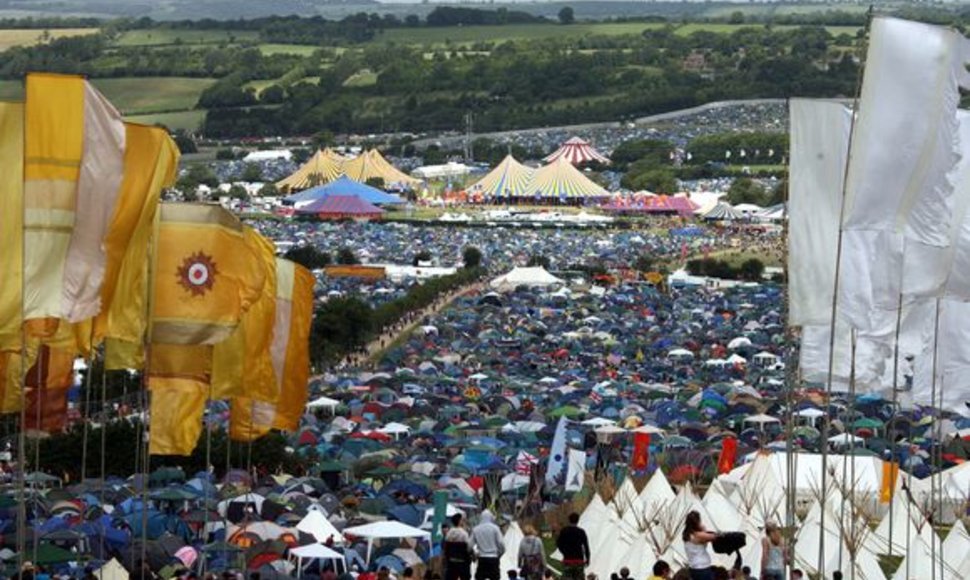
[{"x": 899, "y": 199}]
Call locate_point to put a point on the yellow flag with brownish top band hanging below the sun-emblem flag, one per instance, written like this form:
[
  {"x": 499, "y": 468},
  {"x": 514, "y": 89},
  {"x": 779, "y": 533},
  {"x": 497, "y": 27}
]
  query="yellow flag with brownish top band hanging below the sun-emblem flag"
[{"x": 178, "y": 383}]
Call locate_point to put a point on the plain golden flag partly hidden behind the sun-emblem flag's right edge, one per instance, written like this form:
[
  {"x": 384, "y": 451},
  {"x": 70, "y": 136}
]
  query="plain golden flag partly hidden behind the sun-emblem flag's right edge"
[{"x": 242, "y": 365}]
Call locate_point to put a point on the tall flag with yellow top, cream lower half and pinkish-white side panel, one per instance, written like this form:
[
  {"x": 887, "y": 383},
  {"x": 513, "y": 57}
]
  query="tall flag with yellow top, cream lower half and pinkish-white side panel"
[{"x": 74, "y": 143}]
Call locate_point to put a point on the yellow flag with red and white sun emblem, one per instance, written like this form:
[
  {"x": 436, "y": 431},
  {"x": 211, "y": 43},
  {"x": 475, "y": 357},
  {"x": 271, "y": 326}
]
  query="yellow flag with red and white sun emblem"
[{"x": 205, "y": 275}]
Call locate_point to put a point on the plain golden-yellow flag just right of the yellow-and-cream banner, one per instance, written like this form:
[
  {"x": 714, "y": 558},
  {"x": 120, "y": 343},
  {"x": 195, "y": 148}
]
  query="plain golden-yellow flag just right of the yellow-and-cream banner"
[{"x": 151, "y": 160}]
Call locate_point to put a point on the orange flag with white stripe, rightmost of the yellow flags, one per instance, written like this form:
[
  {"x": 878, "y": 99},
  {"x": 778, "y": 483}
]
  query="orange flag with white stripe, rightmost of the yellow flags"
[{"x": 251, "y": 418}]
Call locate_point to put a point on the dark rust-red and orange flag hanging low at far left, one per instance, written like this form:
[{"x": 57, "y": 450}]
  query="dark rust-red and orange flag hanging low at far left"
[{"x": 47, "y": 382}]
